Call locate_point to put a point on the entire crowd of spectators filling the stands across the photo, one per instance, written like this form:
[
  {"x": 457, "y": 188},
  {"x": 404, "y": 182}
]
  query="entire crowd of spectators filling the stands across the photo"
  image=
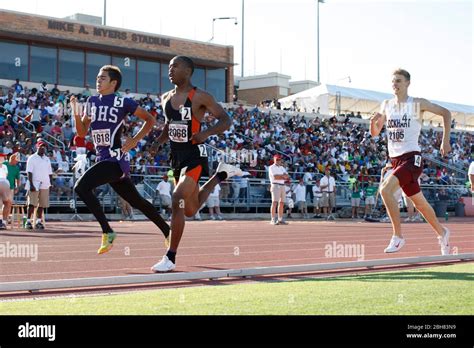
[{"x": 308, "y": 145}]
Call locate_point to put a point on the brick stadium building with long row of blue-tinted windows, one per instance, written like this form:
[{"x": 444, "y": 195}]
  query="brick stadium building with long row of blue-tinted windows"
[{"x": 70, "y": 52}]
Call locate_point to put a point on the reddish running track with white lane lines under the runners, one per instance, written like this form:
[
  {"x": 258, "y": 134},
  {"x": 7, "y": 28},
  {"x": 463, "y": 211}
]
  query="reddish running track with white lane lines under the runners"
[{"x": 69, "y": 249}]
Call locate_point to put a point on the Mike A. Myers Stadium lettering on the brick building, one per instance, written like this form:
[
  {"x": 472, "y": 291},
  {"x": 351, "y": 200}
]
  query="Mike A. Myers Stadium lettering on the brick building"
[{"x": 108, "y": 33}]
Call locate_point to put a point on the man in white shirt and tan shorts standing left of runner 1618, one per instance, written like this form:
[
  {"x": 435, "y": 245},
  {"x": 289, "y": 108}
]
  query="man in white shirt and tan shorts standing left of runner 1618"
[{"x": 38, "y": 168}]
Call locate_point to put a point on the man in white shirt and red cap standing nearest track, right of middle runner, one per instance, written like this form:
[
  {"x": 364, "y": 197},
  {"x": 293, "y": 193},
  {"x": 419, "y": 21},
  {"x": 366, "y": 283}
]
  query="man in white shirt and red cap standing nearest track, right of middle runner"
[{"x": 278, "y": 175}]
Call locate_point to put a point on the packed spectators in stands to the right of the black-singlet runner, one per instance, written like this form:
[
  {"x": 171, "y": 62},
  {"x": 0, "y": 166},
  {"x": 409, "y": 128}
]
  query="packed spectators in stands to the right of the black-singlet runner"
[{"x": 311, "y": 145}]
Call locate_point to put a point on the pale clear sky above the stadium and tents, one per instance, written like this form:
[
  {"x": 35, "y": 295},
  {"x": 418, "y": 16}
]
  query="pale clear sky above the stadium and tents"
[{"x": 363, "y": 39}]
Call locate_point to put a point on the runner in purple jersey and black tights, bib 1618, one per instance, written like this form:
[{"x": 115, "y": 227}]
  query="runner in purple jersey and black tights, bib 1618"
[{"x": 105, "y": 116}]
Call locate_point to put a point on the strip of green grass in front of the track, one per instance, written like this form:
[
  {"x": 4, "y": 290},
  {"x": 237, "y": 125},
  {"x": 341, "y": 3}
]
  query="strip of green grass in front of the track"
[{"x": 436, "y": 290}]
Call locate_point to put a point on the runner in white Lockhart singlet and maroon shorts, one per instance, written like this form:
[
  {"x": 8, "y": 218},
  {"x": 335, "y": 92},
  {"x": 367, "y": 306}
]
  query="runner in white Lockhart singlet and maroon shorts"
[{"x": 402, "y": 117}]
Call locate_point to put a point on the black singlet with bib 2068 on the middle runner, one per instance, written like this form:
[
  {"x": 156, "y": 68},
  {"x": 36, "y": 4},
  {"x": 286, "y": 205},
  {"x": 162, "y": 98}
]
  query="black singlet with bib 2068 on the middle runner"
[{"x": 182, "y": 124}]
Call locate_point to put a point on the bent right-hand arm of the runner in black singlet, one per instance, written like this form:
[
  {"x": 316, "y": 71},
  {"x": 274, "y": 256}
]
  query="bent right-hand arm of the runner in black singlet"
[{"x": 224, "y": 122}]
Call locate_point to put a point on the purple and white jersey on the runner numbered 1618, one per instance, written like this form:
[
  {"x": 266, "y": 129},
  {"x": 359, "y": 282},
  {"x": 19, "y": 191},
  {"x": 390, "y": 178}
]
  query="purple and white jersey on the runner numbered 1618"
[{"x": 108, "y": 114}]
